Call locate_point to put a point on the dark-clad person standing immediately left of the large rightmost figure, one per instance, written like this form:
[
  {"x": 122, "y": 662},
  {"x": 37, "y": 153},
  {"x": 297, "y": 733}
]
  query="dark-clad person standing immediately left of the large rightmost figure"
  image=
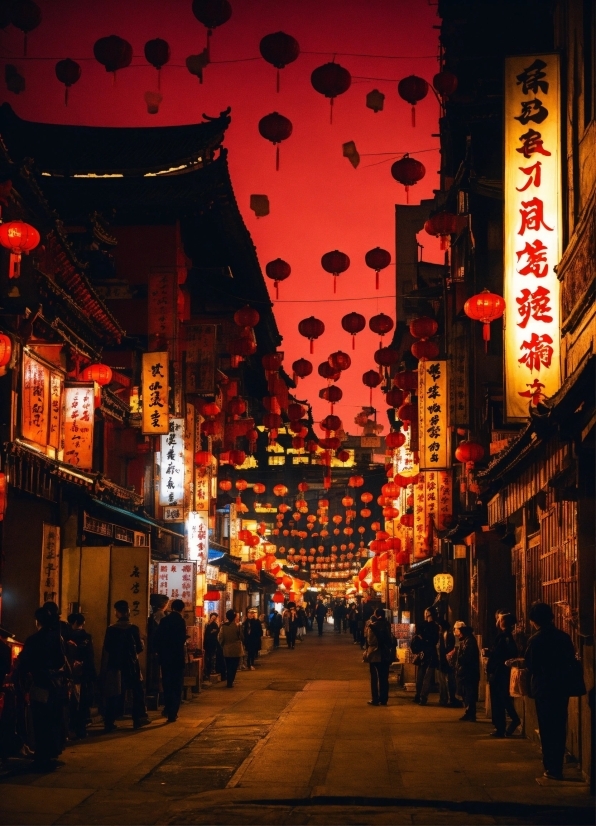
[{"x": 499, "y": 674}]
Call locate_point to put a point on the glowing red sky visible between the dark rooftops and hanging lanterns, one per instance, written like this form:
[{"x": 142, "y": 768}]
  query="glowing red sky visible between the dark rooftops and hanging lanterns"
[{"x": 318, "y": 201}]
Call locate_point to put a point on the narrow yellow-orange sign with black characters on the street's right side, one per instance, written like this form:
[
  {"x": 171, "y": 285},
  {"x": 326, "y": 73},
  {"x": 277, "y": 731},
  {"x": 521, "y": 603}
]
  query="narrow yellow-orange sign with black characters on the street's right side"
[{"x": 433, "y": 408}]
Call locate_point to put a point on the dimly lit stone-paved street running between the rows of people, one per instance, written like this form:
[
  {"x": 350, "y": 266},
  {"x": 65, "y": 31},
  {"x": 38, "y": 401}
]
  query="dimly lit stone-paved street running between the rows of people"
[{"x": 295, "y": 743}]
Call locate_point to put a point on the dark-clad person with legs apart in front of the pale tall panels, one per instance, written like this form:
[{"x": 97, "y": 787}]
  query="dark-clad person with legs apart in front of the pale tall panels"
[{"x": 121, "y": 670}]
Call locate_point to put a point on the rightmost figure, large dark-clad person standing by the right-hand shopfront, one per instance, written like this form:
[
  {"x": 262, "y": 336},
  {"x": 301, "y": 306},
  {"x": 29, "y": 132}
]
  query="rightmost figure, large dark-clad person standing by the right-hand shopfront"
[{"x": 549, "y": 658}]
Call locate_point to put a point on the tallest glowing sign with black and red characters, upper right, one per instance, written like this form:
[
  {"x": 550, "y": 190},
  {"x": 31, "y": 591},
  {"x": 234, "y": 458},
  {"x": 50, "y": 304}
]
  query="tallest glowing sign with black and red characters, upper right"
[{"x": 532, "y": 231}]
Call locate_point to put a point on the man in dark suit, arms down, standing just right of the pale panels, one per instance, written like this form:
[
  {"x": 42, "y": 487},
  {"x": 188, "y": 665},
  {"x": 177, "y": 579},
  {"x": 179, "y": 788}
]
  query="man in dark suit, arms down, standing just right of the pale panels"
[{"x": 170, "y": 642}]
